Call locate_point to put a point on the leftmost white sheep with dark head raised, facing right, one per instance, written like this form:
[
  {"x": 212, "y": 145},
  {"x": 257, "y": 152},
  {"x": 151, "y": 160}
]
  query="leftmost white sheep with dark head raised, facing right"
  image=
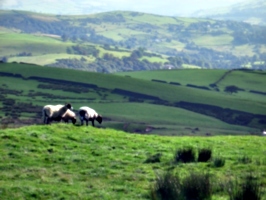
[{"x": 54, "y": 112}]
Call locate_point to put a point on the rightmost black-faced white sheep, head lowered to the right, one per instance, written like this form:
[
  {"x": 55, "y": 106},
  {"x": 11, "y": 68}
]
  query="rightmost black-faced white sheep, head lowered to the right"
[{"x": 88, "y": 114}]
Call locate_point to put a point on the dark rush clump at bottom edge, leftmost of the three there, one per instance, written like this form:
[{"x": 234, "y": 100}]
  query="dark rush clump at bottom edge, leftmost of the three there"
[{"x": 167, "y": 187}]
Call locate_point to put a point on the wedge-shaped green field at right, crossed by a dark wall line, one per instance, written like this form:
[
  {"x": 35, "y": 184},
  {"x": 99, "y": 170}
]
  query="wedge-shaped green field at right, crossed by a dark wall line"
[{"x": 246, "y": 79}]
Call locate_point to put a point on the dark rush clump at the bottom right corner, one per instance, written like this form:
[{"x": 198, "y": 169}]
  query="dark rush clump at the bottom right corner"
[{"x": 250, "y": 188}]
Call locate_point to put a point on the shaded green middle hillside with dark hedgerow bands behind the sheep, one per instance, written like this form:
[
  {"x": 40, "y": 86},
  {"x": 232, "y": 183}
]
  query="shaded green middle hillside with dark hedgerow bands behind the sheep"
[{"x": 135, "y": 104}]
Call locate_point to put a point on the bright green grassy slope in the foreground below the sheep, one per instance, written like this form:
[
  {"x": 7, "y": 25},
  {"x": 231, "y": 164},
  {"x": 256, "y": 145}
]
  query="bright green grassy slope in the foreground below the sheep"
[{"x": 63, "y": 161}]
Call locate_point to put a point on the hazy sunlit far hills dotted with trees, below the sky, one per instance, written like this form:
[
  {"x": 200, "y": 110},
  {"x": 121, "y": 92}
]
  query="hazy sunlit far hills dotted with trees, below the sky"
[{"x": 135, "y": 41}]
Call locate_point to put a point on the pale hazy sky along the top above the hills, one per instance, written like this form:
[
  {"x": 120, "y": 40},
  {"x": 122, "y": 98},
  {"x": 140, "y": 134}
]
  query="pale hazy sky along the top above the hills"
[{"x": 162, "y": 7}]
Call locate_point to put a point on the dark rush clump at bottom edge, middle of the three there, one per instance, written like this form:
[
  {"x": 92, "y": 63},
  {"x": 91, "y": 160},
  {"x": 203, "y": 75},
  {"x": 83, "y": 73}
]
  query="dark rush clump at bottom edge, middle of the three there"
[{"x": 196, "y": 186}]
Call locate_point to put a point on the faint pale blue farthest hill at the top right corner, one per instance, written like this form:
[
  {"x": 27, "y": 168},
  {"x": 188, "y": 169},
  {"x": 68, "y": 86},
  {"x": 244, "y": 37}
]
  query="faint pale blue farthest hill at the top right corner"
[{"x": 253, "y": 12}]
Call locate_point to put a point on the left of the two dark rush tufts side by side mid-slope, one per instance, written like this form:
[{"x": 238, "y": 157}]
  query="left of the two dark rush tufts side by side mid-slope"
[{"x": 185, "y": 155}]
